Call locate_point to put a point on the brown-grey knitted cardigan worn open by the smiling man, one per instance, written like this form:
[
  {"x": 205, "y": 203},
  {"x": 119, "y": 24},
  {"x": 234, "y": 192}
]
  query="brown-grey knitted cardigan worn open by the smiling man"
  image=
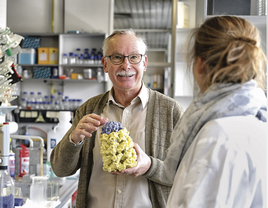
[{"x": 162, "y": 115}]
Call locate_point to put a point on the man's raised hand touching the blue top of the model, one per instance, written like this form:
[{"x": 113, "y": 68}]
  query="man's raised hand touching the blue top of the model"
[{"x": 86, "y": 126}]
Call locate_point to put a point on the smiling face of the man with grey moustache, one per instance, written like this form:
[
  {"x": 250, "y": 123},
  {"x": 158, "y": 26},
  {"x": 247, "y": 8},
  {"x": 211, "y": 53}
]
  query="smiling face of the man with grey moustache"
[{"x": 126, "y": 76}]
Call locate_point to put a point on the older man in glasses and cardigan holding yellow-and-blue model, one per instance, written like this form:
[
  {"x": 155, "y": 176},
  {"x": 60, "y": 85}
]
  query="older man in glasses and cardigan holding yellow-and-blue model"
[{"x": 148, "y": 115}]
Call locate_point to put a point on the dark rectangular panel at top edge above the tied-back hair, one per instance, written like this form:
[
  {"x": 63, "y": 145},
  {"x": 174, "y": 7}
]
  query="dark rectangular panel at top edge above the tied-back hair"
[{"x": 229, "y": 7}]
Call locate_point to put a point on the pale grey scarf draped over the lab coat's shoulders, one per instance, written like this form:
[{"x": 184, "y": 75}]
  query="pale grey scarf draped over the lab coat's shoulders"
[{"x": 222, "y": 100}]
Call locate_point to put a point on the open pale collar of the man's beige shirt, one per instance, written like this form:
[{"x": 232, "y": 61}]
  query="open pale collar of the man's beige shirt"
[{"x": 143, "y": 97}]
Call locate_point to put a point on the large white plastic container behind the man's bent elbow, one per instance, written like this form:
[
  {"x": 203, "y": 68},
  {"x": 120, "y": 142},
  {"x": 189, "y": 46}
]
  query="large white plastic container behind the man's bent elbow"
[{"x": 54, "y": 136}]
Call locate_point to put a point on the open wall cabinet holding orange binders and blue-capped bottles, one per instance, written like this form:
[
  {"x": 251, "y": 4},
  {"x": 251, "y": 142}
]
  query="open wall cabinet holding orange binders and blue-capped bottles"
[{"x": 65, "y": 44}]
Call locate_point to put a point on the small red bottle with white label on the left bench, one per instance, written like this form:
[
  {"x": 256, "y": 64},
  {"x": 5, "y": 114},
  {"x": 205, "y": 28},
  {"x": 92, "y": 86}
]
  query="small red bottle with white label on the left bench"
[{"x": 24, "y": 161}]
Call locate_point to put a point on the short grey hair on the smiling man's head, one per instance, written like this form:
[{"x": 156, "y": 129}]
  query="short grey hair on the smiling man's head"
[{"x": 123, "y": 32}]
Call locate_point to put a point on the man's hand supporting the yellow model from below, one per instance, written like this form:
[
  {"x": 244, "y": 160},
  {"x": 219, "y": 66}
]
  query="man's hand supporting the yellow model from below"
[{"x": 143, "y": 164}]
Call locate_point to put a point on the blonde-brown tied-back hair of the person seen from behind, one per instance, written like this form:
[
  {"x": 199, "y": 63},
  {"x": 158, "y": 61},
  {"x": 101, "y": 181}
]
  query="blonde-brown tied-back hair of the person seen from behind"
[{"x": 230, "y": 48}]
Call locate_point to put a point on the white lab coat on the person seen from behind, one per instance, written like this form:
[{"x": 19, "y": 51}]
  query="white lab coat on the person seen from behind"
[{"x": 225, "y": 166}]
